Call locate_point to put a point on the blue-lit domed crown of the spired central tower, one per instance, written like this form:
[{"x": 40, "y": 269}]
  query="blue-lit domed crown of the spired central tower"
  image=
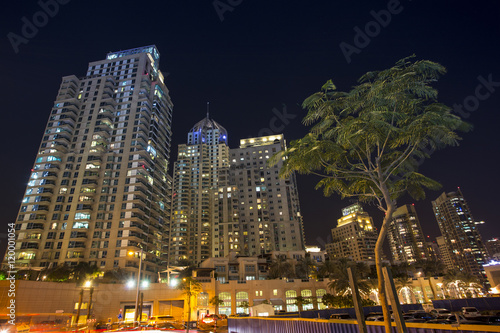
[{"x": 207, "y": 131}]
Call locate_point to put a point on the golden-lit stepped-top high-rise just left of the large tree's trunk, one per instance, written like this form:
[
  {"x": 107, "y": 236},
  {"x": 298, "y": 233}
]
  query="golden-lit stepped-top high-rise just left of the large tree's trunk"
[{"x": 354, "y": 237}]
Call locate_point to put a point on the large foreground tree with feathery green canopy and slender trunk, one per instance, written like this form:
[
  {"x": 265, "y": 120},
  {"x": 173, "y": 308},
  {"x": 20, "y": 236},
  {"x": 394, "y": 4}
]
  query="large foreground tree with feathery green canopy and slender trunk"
[{"x": 368, "y": 142}]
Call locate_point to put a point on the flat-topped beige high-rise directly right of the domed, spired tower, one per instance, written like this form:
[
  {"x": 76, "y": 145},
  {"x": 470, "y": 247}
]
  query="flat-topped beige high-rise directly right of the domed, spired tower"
[{"x": 269, "y": 217}]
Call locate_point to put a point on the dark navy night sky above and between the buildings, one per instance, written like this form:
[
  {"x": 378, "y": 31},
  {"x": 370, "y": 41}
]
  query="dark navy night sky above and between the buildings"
[{"x": 248, "y": 58}]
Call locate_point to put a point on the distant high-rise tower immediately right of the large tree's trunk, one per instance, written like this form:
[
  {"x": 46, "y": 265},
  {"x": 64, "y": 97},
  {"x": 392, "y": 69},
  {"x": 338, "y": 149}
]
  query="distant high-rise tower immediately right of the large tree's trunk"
[{"x": 404, "y": 233}]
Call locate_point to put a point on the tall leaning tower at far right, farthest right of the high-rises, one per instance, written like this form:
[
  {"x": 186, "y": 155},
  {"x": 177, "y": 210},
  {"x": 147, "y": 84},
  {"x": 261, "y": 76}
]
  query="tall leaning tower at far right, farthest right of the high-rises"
[{"x": 458, "y": 227}]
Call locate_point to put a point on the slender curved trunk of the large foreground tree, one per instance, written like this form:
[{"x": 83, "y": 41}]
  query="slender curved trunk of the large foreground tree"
[{"x": 378, "y": 257}]
